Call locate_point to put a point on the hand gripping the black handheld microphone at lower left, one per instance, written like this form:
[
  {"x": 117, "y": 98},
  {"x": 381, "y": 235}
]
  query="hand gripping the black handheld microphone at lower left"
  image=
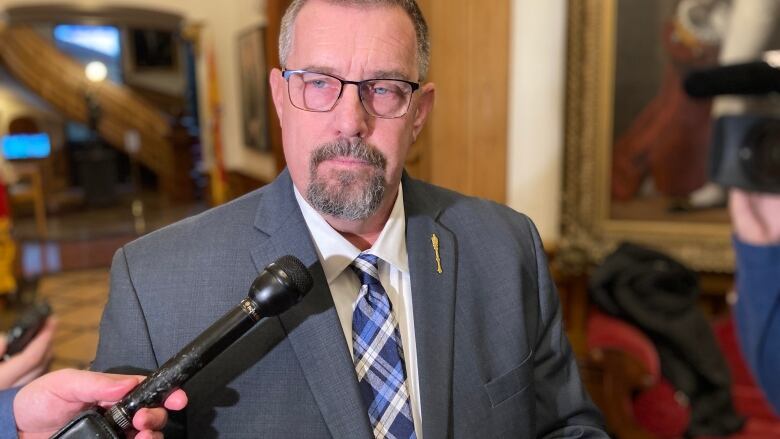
[{"x": 46, "y": 404}]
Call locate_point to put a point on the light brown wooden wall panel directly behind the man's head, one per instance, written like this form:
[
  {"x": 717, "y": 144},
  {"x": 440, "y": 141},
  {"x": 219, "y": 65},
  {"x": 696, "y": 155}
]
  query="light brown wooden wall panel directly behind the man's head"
[{"x": 464, "y": 146}]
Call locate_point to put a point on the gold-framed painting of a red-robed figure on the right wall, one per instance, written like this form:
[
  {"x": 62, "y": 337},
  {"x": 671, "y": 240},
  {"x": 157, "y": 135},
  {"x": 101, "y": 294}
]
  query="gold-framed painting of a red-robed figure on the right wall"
[{"x": 637, "y": 146}]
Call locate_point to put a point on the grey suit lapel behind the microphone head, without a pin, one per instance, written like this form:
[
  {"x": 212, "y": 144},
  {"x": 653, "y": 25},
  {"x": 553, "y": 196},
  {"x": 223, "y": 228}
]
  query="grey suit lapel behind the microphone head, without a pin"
[{"x": 312, "y": 326}]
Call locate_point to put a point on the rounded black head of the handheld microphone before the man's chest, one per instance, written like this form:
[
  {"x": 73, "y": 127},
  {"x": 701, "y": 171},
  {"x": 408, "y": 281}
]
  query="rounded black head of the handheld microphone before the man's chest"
[{"x": 281, "y": 285}]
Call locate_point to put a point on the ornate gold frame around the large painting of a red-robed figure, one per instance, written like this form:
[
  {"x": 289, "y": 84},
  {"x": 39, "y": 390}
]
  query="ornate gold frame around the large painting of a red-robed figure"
[{"x": 588, "y": 231}]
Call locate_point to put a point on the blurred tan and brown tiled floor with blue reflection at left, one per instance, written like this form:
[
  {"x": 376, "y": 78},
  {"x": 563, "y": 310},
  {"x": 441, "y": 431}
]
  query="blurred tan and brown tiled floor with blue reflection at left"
[{"x": 72, "y": 266}]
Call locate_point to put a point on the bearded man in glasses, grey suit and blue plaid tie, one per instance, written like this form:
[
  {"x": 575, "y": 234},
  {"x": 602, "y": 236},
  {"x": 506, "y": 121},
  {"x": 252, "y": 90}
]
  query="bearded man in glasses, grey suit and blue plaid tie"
[{"x": 432, "y": 314}]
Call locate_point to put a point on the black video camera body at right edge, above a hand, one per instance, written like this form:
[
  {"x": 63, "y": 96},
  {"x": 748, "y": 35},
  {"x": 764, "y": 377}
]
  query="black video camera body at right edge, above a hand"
[{"x": 745, "y": 152}]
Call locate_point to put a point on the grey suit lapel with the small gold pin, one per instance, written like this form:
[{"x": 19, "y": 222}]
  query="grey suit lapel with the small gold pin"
[{"x": 433, "y": 300}]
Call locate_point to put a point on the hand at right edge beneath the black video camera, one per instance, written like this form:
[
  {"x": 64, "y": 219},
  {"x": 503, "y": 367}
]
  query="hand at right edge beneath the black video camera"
[{"x": 755, "y": 216}]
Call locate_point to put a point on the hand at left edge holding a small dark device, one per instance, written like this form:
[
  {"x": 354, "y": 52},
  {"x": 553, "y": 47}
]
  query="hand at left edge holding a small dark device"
[{"x": 32, "y": 362}]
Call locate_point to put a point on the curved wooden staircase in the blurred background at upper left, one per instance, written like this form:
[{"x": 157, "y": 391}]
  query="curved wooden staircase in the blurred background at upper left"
[{"x": 60, "y": 80}]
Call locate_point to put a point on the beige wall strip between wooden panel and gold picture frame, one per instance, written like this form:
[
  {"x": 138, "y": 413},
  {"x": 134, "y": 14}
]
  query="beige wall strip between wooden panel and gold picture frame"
[{"x": 537, "y": 74}]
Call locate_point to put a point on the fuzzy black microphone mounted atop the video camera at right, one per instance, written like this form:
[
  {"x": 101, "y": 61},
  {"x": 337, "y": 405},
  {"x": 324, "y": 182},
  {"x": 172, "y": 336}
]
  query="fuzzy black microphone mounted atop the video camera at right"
[{"x": 753, "y": 78}]
